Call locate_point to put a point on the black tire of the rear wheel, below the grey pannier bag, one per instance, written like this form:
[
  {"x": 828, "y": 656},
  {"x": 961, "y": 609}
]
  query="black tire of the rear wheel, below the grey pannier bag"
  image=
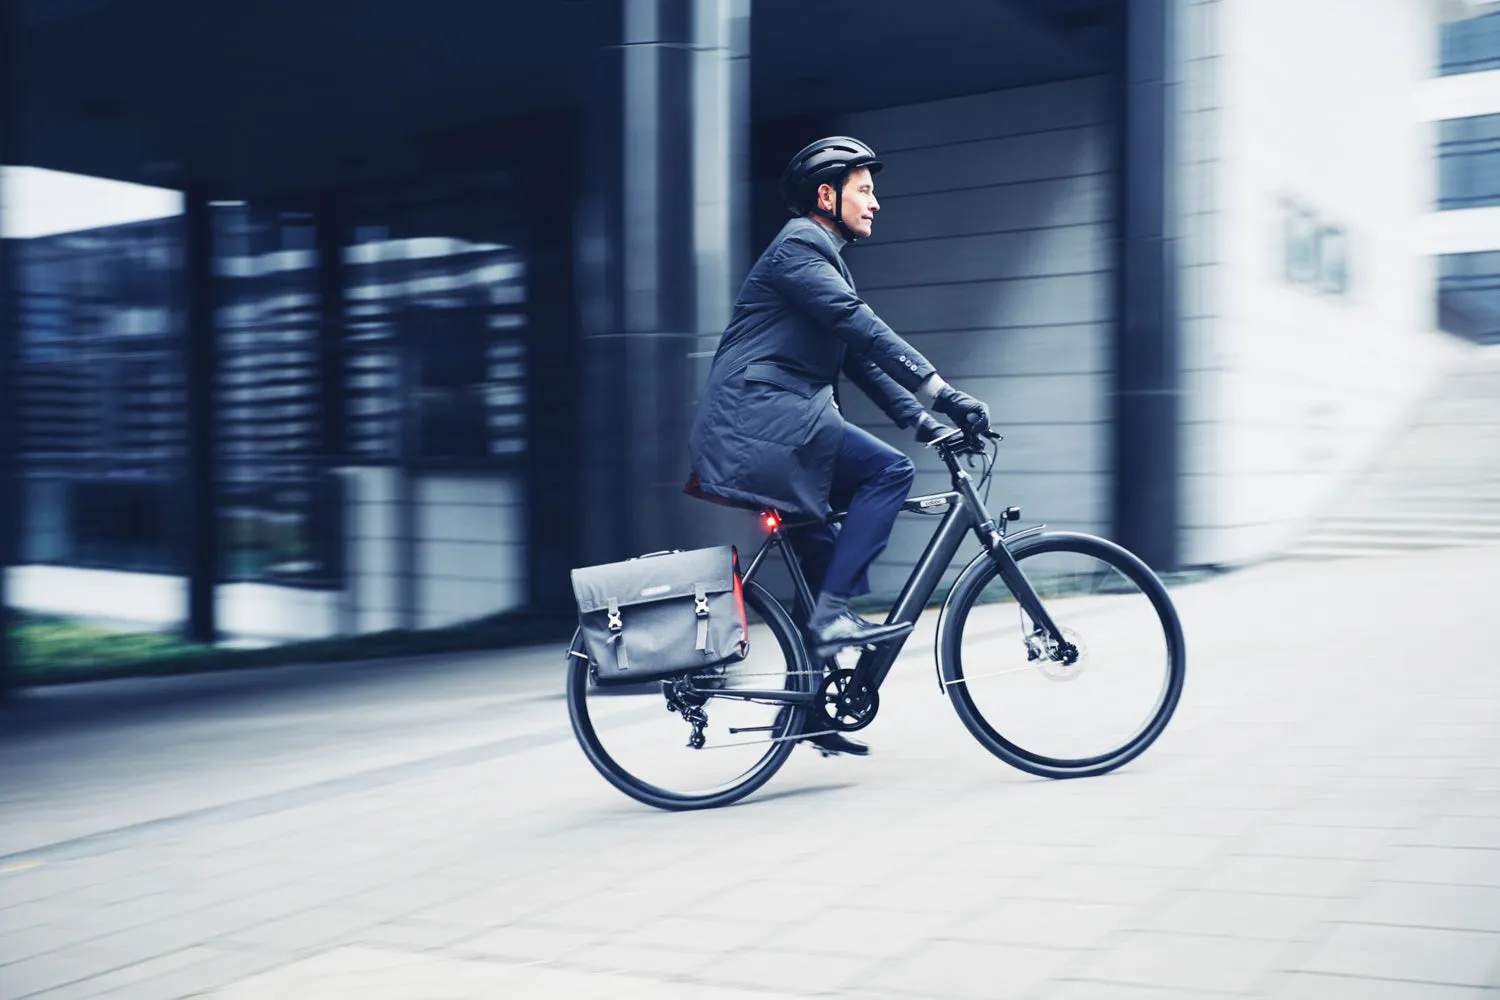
[{"x": 785, "y": 633}]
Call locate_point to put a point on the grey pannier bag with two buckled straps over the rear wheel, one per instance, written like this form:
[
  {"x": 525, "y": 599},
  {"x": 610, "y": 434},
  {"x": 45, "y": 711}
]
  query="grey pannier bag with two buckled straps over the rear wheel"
[{"x": 662, "y": 614}]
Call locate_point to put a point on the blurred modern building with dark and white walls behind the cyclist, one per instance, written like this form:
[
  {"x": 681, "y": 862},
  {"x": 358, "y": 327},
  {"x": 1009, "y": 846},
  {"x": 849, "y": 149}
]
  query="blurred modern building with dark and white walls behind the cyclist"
[{"x": 323, "y": 319}]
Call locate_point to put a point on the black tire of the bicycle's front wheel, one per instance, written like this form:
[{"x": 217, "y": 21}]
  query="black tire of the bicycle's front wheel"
[{"x": 950, "y": 644}]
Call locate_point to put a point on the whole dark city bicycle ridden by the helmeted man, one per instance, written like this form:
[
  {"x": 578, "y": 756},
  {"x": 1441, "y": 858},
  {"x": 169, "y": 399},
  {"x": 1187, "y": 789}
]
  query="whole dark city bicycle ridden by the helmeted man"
[{"x": 805, "y": 699}]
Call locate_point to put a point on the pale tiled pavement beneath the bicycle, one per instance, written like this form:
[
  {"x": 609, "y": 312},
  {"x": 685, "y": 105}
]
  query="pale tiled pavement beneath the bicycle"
[{"x": 1321, "y": 821}]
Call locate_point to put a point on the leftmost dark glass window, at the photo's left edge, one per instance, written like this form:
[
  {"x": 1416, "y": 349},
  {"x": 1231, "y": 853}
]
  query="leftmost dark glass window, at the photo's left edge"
[{"x": 101, "y": 397}]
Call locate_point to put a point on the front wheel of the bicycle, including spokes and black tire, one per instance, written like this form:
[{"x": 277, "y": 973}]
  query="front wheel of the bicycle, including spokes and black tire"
[{"x": 1039, "y": 713}]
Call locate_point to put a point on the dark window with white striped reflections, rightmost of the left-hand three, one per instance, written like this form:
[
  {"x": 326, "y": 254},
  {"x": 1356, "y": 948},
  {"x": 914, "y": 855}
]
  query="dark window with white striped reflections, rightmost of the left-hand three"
[{"x": 436, "y": 322}]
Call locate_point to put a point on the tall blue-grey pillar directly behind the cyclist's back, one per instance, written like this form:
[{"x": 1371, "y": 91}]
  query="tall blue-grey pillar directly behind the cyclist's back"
[{"x": 659, "y": 247}]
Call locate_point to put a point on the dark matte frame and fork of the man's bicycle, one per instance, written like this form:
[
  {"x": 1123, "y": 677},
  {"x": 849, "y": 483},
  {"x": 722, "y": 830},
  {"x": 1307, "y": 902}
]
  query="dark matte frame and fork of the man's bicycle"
[{"x": 965, "y": 513}]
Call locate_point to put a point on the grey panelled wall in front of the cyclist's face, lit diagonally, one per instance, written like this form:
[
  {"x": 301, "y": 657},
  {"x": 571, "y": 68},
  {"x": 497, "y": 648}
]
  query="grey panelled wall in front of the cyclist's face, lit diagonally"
[{"x": 992, "y": 257}]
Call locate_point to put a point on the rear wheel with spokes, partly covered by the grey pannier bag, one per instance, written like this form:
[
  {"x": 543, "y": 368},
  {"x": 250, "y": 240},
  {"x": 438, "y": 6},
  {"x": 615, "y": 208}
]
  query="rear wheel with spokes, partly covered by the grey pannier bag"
[{"x": 640, "y": 744}]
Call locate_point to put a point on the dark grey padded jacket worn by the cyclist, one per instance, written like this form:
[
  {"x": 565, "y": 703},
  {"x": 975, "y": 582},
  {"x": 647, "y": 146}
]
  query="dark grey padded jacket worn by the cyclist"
[{"x": 769, "y": 425}]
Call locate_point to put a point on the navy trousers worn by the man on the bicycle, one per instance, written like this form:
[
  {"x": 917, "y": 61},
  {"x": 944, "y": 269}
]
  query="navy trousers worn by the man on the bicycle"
[{"x": 871, "y": 481}]
